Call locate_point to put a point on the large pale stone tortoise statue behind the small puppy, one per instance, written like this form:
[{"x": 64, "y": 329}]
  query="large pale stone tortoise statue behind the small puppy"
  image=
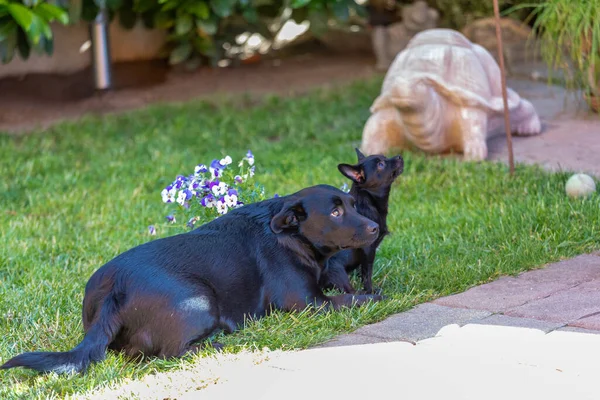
[{"x": 443, "y": 93}]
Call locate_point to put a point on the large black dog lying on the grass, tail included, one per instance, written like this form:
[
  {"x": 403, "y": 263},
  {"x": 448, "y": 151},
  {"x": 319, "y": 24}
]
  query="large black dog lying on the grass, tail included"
[{"x": 161, "y": 298}]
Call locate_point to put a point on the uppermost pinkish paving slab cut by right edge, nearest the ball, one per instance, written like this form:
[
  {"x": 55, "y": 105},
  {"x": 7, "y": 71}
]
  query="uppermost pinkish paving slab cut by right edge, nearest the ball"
[{"x": 571, "y": 272}]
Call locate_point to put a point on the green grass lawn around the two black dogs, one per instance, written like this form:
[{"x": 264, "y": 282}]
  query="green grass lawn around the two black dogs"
[{"x": 75, "y": 196}]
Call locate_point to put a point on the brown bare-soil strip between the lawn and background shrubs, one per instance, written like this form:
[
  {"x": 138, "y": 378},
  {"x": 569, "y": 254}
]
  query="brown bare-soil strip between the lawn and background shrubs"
[{"x": 38, "y": 101}]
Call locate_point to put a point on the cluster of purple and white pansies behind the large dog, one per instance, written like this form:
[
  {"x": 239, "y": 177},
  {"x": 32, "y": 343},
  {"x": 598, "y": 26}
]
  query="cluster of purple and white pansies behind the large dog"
[{"x": 213, "y": 190}]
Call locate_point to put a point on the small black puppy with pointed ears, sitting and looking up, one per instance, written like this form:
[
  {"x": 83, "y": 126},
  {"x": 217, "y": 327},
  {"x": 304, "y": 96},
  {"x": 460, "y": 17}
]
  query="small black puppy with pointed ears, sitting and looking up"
[{"x": 372, "y": 180}]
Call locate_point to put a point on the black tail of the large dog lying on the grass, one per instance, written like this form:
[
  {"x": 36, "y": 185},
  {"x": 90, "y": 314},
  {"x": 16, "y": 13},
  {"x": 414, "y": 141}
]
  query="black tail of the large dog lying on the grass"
[{"x": 91, "y": 349}]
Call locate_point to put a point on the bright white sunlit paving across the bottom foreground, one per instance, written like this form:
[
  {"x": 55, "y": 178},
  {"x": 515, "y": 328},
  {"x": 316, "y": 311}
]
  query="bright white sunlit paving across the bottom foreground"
[{"x": 468, "y": 363}]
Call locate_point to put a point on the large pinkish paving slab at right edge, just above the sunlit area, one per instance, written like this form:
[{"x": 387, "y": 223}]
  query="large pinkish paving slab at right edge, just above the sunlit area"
[{"x": 564, "y": 307}]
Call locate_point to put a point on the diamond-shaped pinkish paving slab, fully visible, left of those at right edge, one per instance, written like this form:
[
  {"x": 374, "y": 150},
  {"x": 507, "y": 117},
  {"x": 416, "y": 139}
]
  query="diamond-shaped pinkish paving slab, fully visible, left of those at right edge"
[{"x": 502, "y": 294}]
